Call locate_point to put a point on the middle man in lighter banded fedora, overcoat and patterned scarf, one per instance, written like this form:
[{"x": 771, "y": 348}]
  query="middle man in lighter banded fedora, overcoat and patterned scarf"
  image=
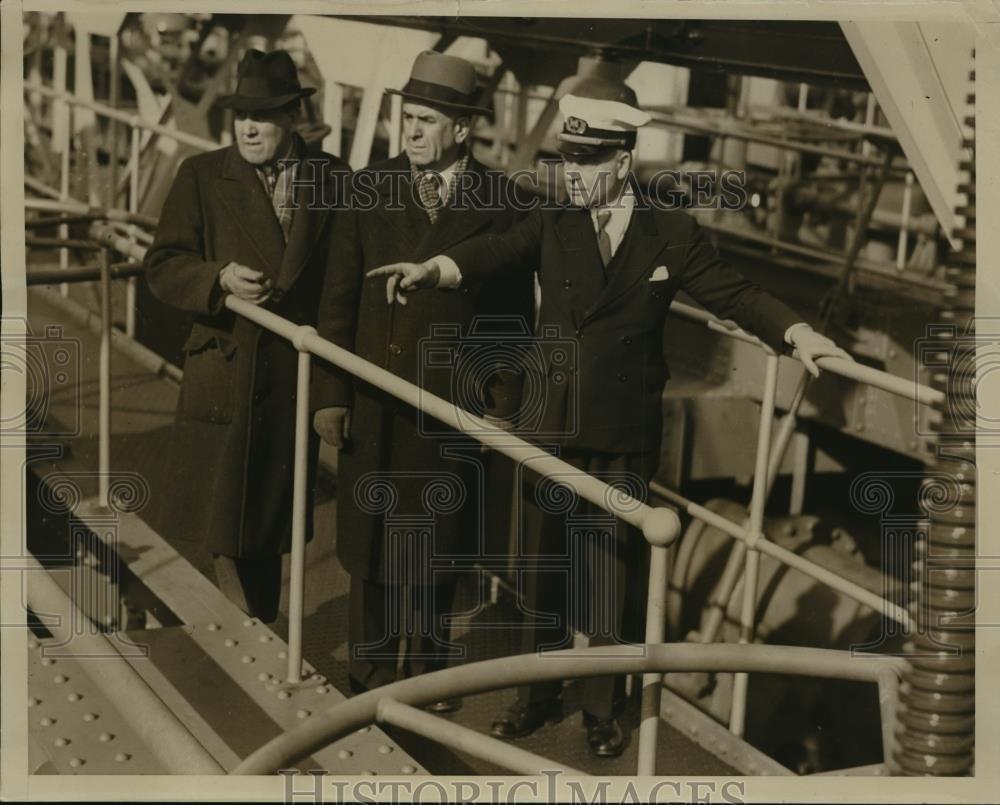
[{"x": 429, "y": 198}]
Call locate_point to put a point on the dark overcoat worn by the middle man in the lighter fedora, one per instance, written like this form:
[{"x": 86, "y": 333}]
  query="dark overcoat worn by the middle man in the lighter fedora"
[{"x": 395, "y": 473}]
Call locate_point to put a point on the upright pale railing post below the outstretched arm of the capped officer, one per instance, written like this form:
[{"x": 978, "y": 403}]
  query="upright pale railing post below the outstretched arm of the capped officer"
[{"x": 748, "y": 614}]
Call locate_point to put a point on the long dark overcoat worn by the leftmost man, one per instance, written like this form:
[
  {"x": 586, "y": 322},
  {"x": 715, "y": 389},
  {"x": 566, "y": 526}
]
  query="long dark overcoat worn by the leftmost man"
[{"x": 229, "y": 473}]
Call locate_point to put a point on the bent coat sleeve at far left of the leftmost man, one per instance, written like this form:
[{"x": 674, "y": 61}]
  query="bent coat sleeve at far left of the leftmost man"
[{"x": 176, "y": 266}]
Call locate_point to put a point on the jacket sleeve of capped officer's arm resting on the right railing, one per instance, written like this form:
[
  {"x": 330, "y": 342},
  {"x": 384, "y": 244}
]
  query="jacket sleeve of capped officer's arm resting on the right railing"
[{"x": 729, "y": 295}]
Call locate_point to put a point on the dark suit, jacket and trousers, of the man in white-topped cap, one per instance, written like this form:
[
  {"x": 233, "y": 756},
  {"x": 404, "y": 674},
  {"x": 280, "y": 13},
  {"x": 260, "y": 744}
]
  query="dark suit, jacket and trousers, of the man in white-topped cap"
[{"x": 601, "y": 399}]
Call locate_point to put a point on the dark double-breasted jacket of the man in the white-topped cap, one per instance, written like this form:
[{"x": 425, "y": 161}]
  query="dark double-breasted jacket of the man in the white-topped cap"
[{"x": 599, "y": 368}]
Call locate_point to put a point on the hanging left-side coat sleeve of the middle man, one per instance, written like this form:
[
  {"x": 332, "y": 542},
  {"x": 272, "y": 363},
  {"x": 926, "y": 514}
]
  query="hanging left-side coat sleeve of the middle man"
[{"x": 338, "y": 308}]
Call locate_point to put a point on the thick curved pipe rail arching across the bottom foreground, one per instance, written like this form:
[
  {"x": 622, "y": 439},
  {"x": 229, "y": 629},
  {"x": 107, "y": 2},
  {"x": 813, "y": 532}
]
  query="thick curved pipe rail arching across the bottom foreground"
[{"x": 505, "y": 672}]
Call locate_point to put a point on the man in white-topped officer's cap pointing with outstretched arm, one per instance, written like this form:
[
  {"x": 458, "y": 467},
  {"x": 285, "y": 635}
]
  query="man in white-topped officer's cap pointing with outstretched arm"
[{"x": 610, "y": 264}]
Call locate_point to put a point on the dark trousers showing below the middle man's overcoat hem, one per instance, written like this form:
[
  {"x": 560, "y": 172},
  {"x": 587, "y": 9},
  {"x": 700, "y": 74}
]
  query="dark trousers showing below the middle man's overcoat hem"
[{"x": 389, "y": 619}]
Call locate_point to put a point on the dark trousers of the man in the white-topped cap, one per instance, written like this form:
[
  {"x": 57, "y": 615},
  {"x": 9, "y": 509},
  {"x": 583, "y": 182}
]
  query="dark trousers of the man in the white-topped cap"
[{"x": 589, "y": 571}]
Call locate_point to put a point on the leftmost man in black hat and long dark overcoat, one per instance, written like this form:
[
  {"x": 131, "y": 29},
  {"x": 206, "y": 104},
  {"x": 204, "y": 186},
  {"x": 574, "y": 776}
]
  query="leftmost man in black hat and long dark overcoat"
[{"x": 241, "y": 220}]
